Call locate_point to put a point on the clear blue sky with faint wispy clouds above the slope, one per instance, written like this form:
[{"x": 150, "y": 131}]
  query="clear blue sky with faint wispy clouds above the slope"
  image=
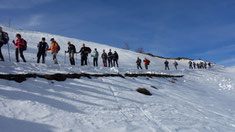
[{"x": 173, "y": 28}]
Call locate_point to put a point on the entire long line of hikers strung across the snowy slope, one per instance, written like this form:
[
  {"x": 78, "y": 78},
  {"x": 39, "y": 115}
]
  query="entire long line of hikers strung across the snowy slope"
[{"x": 109, "y": 60}]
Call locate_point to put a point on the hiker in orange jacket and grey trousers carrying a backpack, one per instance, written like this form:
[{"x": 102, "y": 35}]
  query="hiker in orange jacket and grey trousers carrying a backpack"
[{"x": 54, "y": 48}]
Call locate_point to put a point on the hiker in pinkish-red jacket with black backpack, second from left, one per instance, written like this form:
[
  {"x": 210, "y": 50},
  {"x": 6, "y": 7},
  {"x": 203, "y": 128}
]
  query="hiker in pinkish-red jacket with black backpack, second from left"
[{"x": 20, "y": 43}]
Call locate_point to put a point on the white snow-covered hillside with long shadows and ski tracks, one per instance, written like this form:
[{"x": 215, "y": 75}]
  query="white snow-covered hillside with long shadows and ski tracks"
[{"x": 201, "y": 101}]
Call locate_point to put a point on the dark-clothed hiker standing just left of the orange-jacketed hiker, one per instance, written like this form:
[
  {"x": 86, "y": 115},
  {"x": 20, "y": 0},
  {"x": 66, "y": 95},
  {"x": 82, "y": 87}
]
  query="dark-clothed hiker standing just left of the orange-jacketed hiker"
[{"x": 42, "y": 46}]
